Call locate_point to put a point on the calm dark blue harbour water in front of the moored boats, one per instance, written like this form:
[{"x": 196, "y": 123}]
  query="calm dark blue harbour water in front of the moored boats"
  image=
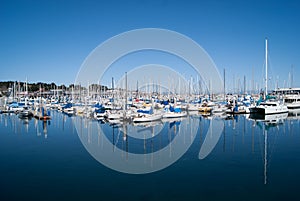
[{"x": 241, "y": 159}]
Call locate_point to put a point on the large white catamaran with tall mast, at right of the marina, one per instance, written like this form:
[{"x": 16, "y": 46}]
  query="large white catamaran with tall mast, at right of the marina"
[{"x": 269, "y": 106}]
